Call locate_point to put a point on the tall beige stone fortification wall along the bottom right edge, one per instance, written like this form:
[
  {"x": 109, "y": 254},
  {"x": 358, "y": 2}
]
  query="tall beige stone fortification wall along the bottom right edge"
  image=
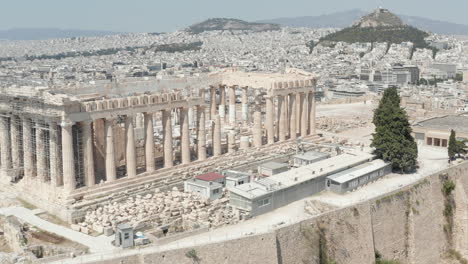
[{"x": 408, "y": 225}]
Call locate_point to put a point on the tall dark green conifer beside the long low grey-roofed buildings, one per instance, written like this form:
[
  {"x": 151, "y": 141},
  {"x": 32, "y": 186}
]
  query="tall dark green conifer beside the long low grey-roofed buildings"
[{"x": 392, "y": 139}]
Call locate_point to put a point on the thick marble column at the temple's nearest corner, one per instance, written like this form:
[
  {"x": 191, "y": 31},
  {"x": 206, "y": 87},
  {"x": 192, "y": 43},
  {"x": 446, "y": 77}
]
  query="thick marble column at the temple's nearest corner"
[{"x": 68, "y": 160}]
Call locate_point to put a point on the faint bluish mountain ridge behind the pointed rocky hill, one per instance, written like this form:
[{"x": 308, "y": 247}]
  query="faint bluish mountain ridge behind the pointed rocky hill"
[{"x": 346, "y": 18}]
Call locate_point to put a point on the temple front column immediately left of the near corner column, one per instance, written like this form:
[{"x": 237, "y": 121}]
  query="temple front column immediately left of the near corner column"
[{"x": 55, "y": 173}]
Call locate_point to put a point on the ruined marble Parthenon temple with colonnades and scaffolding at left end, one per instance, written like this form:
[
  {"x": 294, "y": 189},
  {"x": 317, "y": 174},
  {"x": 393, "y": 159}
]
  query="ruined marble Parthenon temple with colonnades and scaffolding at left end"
[{"x": 56, "y": 144}]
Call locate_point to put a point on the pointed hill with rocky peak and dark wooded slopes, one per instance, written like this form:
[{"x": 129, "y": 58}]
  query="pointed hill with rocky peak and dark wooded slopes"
[{"x": 379, "y": 26}]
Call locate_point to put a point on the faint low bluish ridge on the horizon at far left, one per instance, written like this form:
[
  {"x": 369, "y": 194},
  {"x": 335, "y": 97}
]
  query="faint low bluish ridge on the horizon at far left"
[{"x": 49, "y": 33}]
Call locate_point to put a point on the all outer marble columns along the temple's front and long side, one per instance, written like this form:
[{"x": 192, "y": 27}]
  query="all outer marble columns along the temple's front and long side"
[{"x": 296, "y": 113}]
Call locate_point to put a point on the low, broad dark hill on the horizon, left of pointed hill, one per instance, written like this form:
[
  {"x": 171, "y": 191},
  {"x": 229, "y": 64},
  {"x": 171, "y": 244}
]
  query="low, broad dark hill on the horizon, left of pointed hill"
[{"x": 230, "y": 24}]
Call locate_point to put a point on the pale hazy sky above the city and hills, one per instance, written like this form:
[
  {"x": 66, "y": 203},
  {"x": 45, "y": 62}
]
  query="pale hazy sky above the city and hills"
[{"x": 170, "y": 15}]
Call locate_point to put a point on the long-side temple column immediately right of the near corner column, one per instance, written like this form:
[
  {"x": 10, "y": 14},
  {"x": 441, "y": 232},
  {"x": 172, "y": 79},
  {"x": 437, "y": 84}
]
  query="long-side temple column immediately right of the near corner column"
[{"x": 88, "y": 153}]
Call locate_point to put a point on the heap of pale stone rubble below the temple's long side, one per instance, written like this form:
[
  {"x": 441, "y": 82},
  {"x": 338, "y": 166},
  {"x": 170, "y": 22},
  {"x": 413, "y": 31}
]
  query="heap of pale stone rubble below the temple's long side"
[{"x": 179, "y": 210}]
